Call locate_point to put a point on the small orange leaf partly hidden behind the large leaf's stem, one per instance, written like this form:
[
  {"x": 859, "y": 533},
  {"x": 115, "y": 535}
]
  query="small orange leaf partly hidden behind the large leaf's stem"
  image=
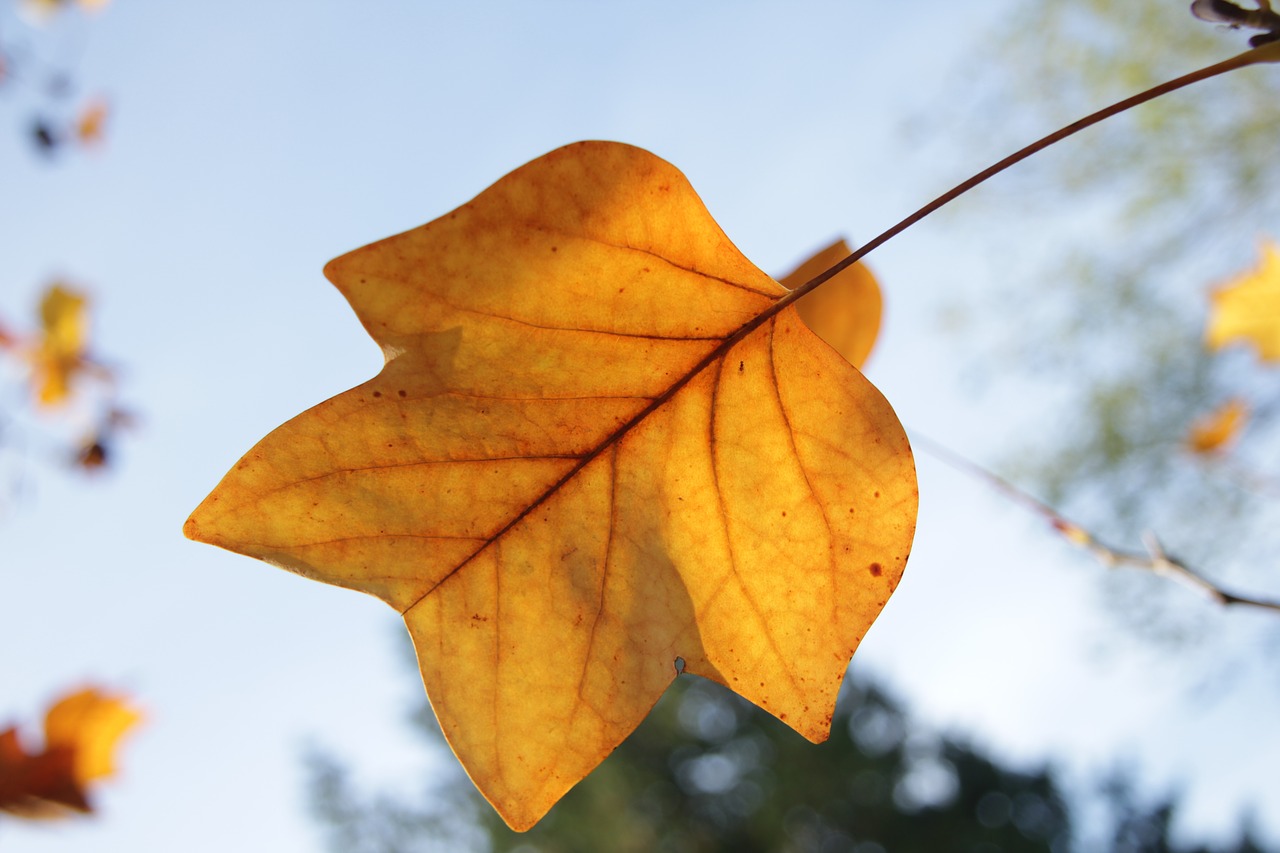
[{"x": 847, "y": 311}]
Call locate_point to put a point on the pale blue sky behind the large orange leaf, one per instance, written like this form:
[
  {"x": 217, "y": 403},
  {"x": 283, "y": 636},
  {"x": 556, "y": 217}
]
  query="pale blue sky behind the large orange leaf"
[{"x": 252, "y": 143}]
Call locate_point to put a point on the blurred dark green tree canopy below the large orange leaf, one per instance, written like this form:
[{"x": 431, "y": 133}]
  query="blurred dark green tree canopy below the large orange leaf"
[{"x": 710, "y": 772}]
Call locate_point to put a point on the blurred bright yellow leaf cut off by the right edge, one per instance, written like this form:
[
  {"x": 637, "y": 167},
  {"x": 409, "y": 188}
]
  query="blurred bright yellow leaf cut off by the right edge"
[{"x": 1247, "y": 309}]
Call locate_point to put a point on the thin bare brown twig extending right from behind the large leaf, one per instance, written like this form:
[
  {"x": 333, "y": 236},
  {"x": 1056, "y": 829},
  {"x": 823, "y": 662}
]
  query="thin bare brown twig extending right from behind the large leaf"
[{"x": 1154, "y": 560}]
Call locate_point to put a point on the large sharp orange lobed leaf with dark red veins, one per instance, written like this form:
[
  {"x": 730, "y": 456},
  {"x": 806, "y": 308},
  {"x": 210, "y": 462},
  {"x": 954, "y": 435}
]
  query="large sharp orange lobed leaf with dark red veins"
[{"x": 600, "y": 451}]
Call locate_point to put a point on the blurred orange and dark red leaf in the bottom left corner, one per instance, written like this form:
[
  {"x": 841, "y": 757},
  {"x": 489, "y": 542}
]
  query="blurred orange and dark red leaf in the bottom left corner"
[{"x": 83, "y": 733}]
